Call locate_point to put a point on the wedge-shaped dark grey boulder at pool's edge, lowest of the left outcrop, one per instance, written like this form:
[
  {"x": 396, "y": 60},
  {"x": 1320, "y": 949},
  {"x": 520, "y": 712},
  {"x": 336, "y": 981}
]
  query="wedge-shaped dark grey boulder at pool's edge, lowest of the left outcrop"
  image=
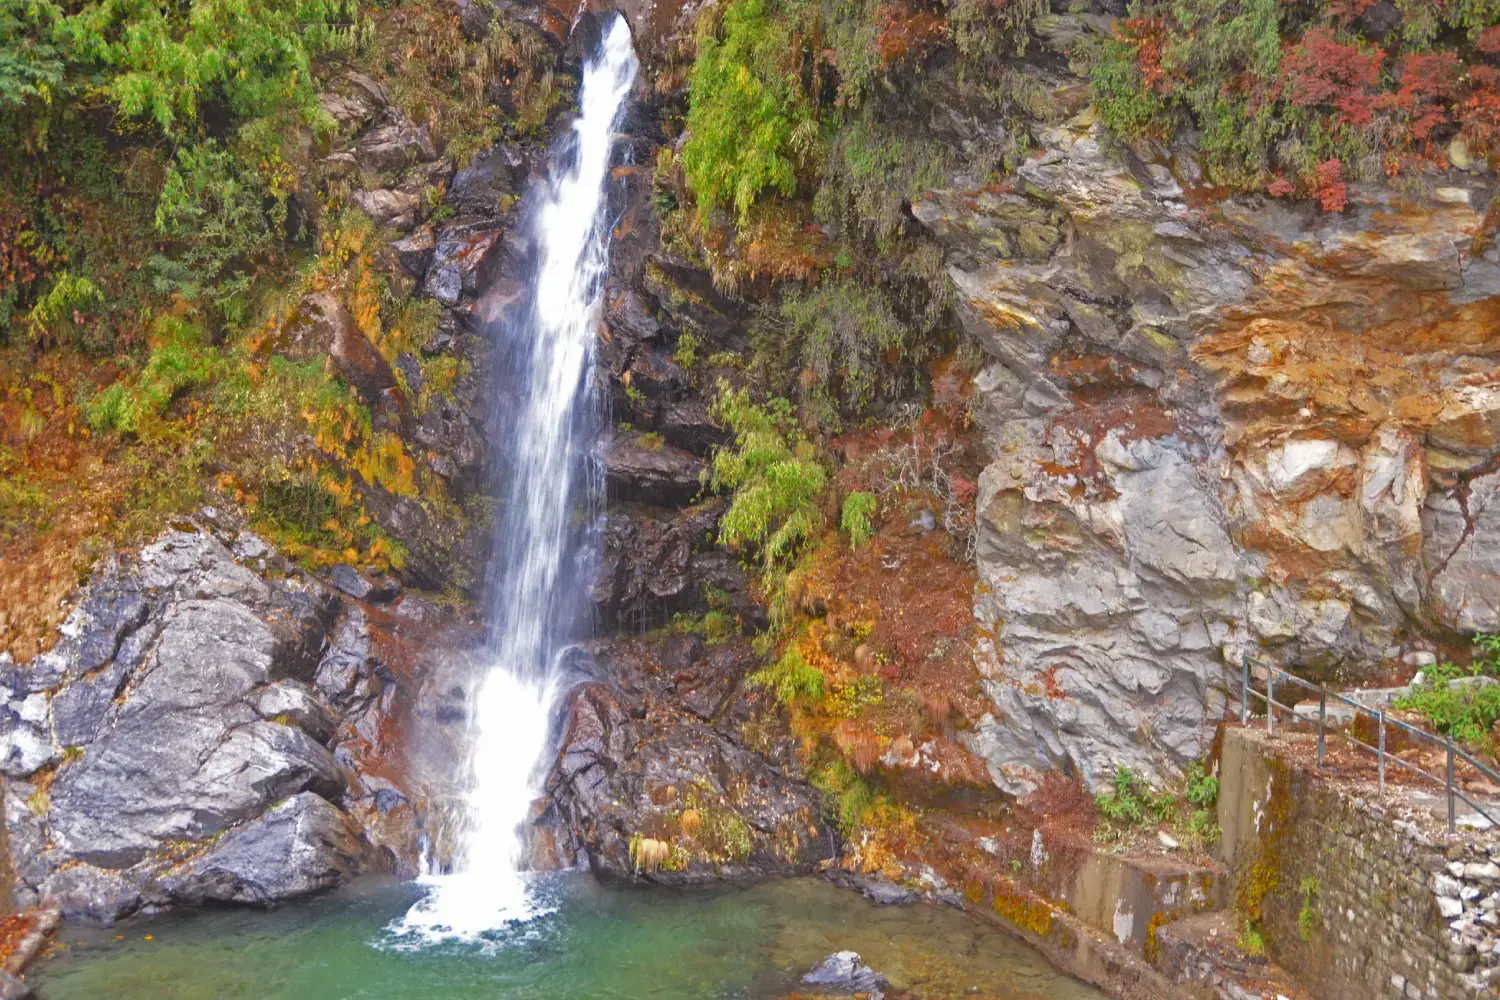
[{"x": 302, "y": 846}]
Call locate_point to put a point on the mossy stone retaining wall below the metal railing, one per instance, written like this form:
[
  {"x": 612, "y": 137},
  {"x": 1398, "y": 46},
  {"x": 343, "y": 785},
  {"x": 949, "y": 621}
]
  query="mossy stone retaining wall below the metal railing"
[{"x": 1346, "y": 894}]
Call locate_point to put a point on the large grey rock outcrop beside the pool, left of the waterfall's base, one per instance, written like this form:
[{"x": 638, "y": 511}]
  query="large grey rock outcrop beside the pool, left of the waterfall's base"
[{"x": 203, "y": 732}]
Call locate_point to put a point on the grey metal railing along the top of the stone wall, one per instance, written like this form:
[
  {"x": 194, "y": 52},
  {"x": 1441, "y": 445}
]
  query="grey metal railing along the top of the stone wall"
[{"x": 1382, "y": 723}]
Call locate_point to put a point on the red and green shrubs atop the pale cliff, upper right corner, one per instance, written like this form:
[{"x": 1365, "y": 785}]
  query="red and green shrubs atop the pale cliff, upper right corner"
[{"x": 1301, "y": 98}]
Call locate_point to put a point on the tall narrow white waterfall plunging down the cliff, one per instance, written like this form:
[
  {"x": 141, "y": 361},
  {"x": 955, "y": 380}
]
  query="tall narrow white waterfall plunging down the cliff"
[{"x": 536, "y": 593}]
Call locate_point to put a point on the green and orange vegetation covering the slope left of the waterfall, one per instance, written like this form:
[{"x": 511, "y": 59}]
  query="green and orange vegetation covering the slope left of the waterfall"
[{"x": 164, "y": 208}]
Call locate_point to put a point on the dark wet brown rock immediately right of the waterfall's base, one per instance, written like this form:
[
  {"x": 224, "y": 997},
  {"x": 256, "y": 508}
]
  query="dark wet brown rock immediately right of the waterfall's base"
[{"x": 650, "y": 779}]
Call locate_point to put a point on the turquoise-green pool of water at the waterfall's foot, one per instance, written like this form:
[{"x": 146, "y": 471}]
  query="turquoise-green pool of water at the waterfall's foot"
[{"x": 599, "y": 945}]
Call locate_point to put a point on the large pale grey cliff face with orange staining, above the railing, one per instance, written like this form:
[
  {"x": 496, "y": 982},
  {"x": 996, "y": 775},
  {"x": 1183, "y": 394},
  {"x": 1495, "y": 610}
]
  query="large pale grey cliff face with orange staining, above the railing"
[{"x": 1216, "y": 428}]
